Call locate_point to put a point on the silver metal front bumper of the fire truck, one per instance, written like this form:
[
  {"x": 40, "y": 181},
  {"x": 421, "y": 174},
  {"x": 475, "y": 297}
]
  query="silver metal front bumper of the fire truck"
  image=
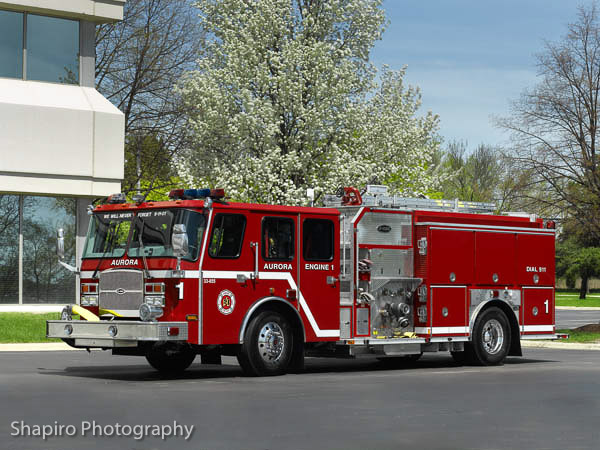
[{"x": 115, "y": 333}]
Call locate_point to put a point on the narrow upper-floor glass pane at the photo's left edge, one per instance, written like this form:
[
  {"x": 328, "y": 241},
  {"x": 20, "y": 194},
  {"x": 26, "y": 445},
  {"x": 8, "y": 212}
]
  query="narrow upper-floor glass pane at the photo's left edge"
[{"x": 11, "y": 44}]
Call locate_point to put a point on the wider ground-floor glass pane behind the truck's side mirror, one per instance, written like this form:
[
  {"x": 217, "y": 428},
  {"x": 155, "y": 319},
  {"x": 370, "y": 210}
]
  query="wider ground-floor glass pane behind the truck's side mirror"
[{"x": 44, "y": 280}]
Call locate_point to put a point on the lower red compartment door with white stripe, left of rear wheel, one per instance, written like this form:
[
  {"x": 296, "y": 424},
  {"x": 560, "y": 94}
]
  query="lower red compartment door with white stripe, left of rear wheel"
[{"x": 449, "y": 310}]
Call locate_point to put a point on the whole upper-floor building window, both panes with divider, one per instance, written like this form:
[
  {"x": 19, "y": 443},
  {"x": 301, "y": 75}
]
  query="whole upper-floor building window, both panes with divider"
[{"x": 39, "y": 48}]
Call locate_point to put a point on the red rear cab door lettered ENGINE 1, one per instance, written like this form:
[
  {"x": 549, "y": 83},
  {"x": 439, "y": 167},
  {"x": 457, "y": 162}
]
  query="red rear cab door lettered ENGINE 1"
[{"x": 319, "y": 295}]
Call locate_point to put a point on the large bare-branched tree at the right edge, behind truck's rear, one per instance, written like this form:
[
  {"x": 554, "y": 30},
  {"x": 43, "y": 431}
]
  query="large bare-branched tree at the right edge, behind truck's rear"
[{"x": 554, "y": 126}]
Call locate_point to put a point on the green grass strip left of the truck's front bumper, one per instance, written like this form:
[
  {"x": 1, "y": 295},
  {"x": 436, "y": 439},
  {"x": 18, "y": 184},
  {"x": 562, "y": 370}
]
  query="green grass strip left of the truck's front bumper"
[{"x": 23, "y": 327}]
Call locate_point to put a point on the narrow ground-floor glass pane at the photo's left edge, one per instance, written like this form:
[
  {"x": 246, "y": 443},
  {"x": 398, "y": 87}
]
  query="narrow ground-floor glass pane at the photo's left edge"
[{"x": 9, "y": 249}]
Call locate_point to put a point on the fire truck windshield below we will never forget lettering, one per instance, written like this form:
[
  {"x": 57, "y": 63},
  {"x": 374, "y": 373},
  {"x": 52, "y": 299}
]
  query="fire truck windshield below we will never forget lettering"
[{"x": 143, "y": 233}]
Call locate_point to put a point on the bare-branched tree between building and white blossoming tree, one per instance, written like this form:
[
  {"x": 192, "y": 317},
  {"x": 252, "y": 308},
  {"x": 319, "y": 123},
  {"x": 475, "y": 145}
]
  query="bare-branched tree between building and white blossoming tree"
[{"x": 139, "y": 61}]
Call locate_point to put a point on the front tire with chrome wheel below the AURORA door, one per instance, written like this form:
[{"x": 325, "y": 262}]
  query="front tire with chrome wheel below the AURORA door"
[{"x": 267, "y": 347}]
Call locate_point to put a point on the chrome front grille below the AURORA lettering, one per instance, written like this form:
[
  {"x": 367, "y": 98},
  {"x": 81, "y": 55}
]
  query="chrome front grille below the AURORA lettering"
[{"x": 122, "y": 290}]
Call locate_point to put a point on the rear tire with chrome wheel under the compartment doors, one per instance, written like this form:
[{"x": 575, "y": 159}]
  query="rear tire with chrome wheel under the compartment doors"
[{"x": 491, "y": 338}]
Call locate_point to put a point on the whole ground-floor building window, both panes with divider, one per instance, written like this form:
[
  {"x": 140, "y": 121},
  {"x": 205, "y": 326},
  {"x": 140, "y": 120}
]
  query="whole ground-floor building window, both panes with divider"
[{"x": 28, "y": 239}]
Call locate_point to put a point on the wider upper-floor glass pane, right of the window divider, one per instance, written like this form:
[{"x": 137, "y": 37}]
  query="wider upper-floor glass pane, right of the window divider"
[{"x": 52, "y": 49}]
